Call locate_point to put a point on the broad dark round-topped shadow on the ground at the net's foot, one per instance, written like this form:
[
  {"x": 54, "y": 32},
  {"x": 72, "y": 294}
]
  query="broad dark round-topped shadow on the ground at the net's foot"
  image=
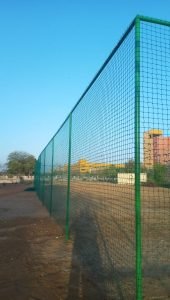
[{"x": 87, "y": 273}]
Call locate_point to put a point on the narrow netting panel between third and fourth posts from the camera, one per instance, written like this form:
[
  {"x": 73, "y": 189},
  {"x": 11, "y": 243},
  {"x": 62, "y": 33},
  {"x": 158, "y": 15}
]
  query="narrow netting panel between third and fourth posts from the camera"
[{"x": 48, "y": 175}]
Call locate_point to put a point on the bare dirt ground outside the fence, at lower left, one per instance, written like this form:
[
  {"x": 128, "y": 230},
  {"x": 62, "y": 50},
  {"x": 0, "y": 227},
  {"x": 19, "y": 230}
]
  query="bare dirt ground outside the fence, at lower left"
[{"x": 36, "y": 263}]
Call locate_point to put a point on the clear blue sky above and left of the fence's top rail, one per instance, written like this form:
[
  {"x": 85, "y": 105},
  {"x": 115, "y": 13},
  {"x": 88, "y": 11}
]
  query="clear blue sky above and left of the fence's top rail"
[{"x": 49, "y": 53}]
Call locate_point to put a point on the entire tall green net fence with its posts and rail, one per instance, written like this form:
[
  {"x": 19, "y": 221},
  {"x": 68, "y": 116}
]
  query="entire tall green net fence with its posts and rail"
[{"x": 105, "y": 175}]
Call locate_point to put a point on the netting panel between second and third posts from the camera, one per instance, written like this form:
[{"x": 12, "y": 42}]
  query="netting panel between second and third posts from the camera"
[{"x": 60, "y": 174}]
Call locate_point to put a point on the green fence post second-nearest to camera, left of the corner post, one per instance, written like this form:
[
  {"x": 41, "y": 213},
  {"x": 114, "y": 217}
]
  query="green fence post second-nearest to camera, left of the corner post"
[{"x": 68, "y": 180}]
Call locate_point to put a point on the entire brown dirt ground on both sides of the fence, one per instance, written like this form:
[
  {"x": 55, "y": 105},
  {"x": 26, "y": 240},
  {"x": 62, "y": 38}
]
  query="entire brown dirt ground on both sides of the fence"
[{"x": 98, "y": 262}]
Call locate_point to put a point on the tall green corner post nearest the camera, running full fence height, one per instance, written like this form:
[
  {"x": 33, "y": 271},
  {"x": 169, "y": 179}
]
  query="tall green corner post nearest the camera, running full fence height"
[{"x": 137, "y": 163}]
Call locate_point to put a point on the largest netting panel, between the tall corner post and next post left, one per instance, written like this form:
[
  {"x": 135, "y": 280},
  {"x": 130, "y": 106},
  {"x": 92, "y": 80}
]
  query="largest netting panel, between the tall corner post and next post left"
[{"x": 102, "y": 178}]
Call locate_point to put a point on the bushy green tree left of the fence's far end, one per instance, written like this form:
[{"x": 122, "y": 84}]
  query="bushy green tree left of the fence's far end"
[{"x": 20, "y": 163}]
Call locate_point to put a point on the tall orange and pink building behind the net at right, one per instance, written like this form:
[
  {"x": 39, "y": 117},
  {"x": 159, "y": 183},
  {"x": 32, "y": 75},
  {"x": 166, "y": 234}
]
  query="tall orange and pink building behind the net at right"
[{"x": 156, "y": 148}]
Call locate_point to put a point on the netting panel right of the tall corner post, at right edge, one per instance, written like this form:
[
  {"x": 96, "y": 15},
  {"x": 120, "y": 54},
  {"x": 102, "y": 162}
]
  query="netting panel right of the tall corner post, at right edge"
[{"x": 155, "y": 159}]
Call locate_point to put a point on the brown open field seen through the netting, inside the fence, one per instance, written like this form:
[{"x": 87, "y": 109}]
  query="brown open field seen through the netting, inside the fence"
[{"x": 102, "y": 222}]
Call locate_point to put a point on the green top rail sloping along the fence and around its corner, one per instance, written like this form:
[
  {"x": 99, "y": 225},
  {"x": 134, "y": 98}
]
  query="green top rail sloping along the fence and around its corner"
[{"x": 141, "y": 18}]
